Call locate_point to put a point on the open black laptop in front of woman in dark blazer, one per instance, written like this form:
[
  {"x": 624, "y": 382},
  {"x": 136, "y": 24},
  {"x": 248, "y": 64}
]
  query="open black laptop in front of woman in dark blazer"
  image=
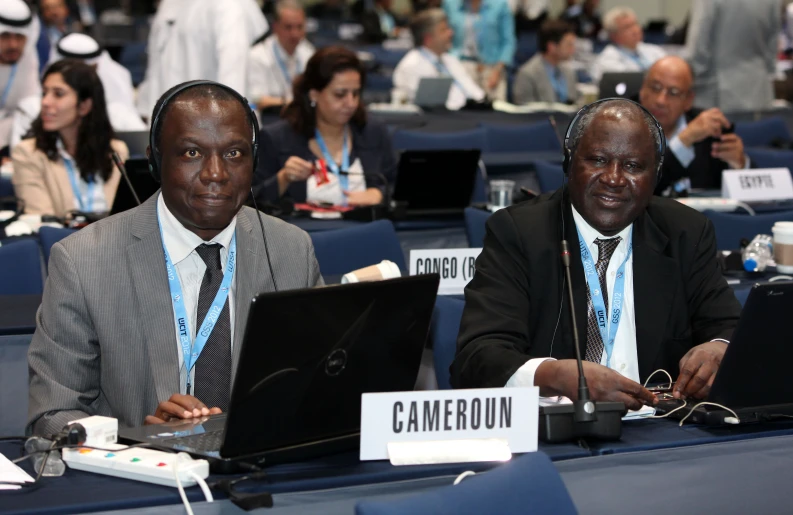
[{"x": 436, "y": 182}]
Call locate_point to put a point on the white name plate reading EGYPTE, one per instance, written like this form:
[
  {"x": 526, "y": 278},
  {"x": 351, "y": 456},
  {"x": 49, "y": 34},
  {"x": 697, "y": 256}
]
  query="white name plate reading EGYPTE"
[{"x": 757, "y": 185}]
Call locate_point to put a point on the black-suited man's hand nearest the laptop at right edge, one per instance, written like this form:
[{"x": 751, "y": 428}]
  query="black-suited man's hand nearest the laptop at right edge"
[{"x": 698, "y": 369}]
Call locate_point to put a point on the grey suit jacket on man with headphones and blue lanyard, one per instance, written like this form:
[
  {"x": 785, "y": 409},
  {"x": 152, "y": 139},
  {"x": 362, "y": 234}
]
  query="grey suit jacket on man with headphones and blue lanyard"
[{"x": 105, "y": 342}]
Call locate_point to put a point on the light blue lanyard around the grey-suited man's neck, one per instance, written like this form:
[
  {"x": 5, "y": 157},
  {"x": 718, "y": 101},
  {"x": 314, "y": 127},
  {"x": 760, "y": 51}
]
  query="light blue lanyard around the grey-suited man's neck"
[{"x": 191, "y": 351}]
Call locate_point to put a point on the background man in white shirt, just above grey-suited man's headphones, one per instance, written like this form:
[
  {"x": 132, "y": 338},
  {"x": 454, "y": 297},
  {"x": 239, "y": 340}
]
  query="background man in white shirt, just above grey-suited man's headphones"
[{"x": 275, "y": 62}]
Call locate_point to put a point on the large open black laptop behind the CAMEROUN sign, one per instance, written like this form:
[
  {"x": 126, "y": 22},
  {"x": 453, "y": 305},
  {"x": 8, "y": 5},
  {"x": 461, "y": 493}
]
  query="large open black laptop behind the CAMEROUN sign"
[{"x": 306, "y": 358}]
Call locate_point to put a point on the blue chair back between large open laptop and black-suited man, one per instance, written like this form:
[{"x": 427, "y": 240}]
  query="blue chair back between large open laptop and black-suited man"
[{"x": 443, "y": 333}]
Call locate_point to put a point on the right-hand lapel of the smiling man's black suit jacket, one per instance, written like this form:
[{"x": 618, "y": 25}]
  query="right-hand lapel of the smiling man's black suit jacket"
[{"x": 654, "y": 287}]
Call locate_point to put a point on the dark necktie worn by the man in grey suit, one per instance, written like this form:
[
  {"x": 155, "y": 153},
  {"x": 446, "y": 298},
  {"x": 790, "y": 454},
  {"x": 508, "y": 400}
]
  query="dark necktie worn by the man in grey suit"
[{"x": 213, "y": 368}]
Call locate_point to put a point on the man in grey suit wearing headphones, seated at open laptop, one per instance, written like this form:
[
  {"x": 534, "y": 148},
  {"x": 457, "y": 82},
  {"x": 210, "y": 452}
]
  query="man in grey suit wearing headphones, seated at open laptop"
[{"x": 117, "y": 322}]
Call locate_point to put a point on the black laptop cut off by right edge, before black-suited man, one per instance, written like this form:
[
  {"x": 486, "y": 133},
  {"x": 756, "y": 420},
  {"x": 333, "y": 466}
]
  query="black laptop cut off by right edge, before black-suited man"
[{"x": 753, "y": 379}]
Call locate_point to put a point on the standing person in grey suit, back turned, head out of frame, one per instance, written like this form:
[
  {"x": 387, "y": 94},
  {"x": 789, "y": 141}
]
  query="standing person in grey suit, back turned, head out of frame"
[{"x": 732, "y": 46}]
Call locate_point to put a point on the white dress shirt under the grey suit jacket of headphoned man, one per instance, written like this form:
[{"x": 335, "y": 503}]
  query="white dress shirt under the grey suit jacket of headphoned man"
[{"x": 181, "y": 244}]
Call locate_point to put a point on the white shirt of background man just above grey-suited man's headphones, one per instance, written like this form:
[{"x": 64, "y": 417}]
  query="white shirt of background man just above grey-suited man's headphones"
[{"x": 265, "y": 76}]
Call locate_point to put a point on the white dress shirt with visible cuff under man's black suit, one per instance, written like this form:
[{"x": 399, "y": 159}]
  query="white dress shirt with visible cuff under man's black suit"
[{"x": 624, "y": 357}]
